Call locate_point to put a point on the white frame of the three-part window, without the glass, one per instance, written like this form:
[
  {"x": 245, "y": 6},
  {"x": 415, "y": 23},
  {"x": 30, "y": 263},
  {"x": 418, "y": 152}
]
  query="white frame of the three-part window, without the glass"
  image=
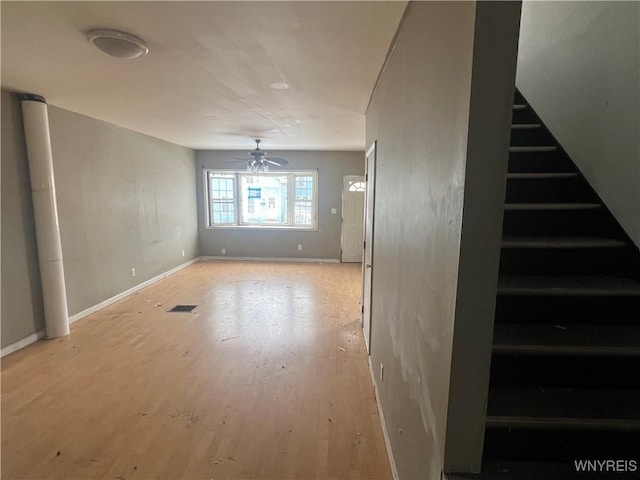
[{"x": 239, "y": 224}]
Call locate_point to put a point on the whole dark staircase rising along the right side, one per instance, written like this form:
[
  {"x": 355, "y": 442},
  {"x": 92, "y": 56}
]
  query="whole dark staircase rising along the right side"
[{"x": 565, "y": 372}]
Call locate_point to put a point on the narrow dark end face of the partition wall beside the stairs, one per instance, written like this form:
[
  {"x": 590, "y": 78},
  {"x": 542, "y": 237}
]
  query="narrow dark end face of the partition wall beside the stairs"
[{"x": 494, "y": 68}]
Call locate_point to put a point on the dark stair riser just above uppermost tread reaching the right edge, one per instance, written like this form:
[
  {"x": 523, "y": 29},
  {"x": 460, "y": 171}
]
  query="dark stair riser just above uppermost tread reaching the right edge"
[{"x": 582, "y": 261}]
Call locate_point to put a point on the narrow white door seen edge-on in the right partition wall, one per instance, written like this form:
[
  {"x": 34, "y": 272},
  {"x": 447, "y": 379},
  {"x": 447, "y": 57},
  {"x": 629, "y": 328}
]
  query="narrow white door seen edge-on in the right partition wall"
[{"x": 367, "y": 258}]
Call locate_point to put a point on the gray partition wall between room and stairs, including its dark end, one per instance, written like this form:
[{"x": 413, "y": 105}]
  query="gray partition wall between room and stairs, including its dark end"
[{"x": 441, "y": 118}]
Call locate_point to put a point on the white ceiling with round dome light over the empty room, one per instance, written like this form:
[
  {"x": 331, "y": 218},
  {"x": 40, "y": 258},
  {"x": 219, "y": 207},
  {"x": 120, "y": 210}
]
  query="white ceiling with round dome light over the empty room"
[{"x": 205, "y": 83}]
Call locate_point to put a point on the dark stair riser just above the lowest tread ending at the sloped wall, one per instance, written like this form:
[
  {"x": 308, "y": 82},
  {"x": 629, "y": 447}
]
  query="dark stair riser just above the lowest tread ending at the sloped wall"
[{"x": 559, "y": 222}]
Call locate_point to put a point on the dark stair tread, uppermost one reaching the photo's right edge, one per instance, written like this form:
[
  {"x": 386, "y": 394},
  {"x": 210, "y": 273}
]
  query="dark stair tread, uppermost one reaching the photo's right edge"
[{"x": 568, "y": 286}]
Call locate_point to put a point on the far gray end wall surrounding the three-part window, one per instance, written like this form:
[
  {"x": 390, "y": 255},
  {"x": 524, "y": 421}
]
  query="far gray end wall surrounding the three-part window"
[{"x": 321, "y": 244}]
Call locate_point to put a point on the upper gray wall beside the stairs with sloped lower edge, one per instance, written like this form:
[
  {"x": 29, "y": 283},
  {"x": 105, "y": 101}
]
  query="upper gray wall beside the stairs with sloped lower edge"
[{"x": 579, "y": 67}]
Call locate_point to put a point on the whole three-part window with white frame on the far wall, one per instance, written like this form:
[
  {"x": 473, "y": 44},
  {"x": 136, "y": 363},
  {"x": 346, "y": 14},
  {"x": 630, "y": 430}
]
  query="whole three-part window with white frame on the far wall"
[{"x": 276, "y": 200}]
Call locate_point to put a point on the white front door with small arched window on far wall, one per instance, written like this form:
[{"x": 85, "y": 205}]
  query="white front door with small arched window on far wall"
[{"x": 353, "y": 188}]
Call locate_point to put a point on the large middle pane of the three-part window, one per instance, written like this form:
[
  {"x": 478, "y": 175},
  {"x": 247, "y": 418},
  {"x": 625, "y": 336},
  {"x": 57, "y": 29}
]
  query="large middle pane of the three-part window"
[{"x": 264, "y": 199}]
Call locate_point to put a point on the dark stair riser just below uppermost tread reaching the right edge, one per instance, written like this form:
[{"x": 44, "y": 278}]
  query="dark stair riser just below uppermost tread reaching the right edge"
[{"x": 557, "y": 310}]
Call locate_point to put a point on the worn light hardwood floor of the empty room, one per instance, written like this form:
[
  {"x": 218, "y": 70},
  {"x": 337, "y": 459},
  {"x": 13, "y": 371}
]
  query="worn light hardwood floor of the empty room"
[{"x": 268, "y": 378}]
